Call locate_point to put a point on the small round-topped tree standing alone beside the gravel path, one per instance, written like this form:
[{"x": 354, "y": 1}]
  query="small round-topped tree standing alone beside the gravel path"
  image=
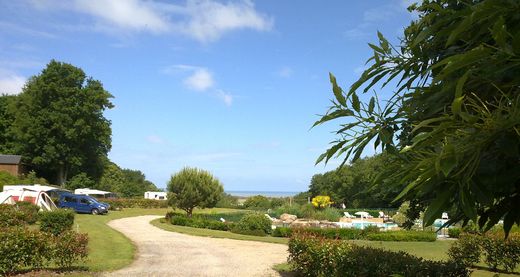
[{"x": 192, "y": 187}]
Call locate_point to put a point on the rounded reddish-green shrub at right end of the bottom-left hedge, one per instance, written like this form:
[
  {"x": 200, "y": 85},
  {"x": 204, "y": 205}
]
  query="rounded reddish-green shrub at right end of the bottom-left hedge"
[{"x": 69, "y": 247}]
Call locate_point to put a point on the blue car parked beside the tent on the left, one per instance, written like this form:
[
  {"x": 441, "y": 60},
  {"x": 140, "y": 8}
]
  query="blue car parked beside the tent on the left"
[{"x": 82, "y": 204}]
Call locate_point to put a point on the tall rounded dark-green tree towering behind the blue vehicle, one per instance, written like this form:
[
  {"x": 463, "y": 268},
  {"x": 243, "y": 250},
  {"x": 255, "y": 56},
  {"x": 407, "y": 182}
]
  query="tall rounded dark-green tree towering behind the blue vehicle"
[{"x": 59, "y": 125}]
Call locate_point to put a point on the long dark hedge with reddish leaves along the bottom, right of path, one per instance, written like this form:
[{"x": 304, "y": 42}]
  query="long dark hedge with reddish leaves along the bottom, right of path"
[{"x": 318, "y": 256}]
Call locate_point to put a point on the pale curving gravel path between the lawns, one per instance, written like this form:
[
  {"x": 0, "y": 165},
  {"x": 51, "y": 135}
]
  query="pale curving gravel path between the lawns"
[{"x": 163, "y": 253}]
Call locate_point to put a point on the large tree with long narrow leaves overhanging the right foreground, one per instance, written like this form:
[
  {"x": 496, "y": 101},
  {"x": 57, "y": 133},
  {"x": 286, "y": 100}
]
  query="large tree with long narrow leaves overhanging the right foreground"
[{"x": 453, "y": 120}]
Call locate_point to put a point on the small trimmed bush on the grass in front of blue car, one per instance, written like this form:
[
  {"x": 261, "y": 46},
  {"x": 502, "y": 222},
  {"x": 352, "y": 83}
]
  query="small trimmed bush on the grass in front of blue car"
[{"x": 56, "y": 222}]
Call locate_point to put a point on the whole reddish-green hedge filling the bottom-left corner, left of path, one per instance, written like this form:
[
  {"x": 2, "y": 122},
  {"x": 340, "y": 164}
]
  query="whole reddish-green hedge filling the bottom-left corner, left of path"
[{"x": 22, "y": 248}]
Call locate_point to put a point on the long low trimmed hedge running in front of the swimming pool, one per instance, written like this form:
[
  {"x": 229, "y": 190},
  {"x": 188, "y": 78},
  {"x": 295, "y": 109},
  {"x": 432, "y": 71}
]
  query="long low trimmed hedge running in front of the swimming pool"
[{"x": 358, "y": 234}]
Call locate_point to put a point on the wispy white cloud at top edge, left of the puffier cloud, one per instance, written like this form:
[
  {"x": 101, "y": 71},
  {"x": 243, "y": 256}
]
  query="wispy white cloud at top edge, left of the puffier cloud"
[{"x": 132, "y": 15}]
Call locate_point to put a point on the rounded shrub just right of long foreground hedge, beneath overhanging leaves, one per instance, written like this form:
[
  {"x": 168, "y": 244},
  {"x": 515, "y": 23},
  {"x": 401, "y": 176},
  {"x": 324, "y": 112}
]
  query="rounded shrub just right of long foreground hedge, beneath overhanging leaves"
[{"x": 466, "y": 250}]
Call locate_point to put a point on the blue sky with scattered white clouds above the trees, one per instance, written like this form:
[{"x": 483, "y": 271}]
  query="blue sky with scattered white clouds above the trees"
[{"x": 232, "y": 87}]
